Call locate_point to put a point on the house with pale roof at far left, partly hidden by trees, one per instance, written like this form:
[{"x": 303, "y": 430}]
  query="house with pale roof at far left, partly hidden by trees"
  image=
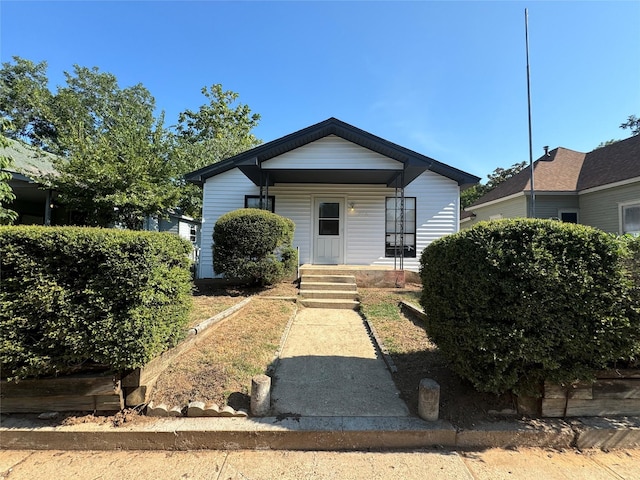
[{"x": 34, "y": 201}]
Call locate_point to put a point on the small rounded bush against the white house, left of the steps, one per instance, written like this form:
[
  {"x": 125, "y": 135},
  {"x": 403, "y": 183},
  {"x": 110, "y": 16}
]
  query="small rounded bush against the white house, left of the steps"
[{"x": 255, "y": 246}]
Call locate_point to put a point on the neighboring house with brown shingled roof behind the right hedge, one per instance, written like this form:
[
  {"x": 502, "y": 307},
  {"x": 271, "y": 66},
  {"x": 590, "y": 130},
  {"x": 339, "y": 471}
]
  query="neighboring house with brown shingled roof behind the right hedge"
[{"x": 600, "y": 188}]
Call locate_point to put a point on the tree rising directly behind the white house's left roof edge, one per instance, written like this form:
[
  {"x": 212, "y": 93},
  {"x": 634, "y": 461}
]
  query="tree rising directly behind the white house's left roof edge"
[{"x": 219, "y": 129}]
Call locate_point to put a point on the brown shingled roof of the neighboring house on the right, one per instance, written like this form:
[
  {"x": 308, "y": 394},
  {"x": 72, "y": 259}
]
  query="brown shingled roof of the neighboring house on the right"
[{"x": 565, "y": 170}]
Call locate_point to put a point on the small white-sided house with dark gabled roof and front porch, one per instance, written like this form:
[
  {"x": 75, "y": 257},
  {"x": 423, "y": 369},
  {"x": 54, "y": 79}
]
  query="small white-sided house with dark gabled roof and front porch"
[{"x": 345, "y": 189}]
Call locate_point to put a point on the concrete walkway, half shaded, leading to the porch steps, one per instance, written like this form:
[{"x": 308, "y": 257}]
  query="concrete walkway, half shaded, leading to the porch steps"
[{"x": 329, "y": 367}]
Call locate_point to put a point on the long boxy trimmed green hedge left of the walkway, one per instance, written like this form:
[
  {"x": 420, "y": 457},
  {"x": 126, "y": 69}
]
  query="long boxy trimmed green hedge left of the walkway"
[{"x": 71, "y": 297}]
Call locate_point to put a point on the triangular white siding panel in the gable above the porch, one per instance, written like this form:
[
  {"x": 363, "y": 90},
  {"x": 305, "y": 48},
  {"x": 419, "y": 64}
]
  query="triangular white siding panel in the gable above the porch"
[{"x": 332, "y": 152}]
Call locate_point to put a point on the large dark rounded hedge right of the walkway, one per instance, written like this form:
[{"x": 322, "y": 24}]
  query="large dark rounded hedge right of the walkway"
[{"x": 512, "y": 303}]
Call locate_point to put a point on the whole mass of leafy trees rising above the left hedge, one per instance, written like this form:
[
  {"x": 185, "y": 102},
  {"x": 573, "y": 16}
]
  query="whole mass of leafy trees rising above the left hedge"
[{"x": 118, "y": 162}]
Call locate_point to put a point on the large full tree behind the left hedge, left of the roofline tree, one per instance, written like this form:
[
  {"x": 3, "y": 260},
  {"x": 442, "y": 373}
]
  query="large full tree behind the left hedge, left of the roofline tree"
[{"x": 114, "y": 160}]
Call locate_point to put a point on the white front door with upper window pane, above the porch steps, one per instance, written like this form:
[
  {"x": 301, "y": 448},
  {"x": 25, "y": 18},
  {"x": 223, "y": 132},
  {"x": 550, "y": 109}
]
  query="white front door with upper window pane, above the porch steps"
[{"x": 328, "y": 240}]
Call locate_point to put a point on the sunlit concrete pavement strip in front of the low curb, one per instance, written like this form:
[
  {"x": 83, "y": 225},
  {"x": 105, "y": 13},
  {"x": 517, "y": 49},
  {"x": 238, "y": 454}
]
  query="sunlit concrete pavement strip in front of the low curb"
[{"x": 494, "y": 464}]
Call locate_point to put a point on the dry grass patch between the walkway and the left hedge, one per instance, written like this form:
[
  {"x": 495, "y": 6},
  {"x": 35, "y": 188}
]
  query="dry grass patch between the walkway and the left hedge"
[{"x": 220, "y": 368}]
